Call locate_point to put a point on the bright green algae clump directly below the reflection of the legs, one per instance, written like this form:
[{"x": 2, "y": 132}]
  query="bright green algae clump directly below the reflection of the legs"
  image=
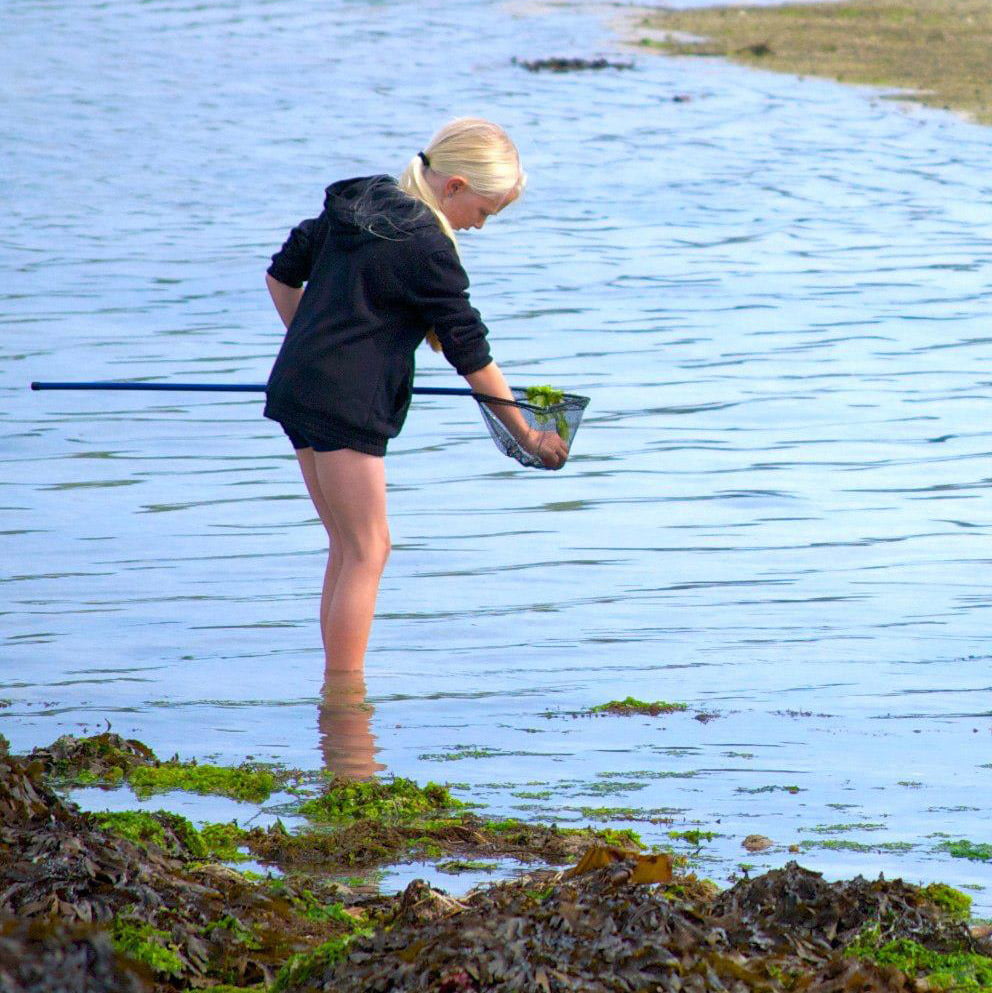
[{"x": 392, "y": 800}]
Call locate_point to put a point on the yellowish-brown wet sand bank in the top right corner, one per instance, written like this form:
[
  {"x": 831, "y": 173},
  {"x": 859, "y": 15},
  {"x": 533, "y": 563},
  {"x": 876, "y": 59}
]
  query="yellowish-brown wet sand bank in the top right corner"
[{"x": 936, "y": 51}]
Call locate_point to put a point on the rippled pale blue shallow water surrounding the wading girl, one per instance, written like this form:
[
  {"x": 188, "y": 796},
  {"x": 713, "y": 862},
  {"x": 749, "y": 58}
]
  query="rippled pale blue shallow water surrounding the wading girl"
[{"x": 777, "y": 510}]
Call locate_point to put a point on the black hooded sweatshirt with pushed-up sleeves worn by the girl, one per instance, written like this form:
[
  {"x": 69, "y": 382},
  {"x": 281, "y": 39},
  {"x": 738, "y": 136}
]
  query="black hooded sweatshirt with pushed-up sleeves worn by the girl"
[{"x": 379, "y": 274}]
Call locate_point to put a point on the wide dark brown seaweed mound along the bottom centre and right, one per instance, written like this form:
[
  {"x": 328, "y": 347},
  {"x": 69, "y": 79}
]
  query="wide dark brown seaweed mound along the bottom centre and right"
[{"x": 787, "y": 930}]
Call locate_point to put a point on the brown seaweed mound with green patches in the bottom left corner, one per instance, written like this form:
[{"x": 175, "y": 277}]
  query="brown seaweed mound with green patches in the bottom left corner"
[{"x": 69, "y": 885}]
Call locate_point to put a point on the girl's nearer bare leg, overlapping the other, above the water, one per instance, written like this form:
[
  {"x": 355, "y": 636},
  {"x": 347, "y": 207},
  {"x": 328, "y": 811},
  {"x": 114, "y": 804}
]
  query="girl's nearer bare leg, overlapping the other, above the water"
[{"x": 352, "y": 489}]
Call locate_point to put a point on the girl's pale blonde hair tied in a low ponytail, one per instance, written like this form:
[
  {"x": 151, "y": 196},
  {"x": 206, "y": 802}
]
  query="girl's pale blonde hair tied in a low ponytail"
[{"x": 477, "y": 150}]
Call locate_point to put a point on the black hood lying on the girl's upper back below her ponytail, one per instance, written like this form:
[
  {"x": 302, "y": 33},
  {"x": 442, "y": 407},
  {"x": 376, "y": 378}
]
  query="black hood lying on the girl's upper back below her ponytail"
[{"x": 373, "y": 207}]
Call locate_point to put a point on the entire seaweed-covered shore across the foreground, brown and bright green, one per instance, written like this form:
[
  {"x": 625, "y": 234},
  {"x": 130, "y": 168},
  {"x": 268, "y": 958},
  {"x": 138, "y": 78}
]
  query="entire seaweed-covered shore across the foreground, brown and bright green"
[{"x": 137, "y": 902}]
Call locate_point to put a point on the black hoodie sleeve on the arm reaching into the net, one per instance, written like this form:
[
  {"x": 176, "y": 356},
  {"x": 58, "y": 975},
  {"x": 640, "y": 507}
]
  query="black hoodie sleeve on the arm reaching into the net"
[{"x": 440, "y": 292}]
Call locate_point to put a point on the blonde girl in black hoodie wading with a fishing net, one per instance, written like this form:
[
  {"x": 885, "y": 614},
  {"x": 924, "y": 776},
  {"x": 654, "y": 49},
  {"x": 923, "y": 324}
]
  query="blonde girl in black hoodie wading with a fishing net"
[{"x": 381, "y": 270}]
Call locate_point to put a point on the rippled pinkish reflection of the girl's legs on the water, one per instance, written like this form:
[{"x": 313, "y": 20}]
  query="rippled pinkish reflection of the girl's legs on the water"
[{"x": 345, "y": 723}]
